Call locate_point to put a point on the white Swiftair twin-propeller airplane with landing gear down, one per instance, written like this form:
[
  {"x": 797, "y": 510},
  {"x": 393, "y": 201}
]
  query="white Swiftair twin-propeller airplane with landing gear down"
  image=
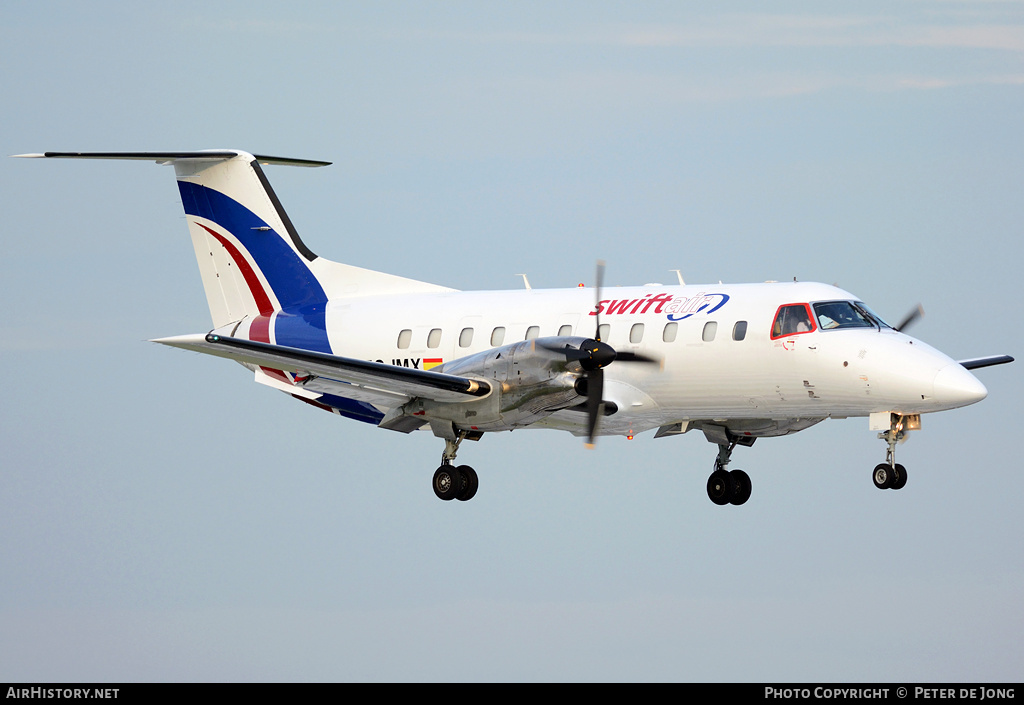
[{"x": 735, "y": 362}]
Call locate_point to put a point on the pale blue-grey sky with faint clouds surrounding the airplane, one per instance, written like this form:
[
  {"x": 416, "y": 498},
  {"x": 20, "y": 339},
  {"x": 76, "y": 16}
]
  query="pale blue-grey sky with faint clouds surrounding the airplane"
[{"x": 162, "y": 518}]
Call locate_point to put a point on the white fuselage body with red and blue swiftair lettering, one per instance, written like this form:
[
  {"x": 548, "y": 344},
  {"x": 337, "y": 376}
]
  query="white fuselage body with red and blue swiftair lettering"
[{"x": 713, "y": 369}]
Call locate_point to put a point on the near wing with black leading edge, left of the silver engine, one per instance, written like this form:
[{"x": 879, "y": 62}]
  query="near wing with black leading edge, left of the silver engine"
[{"x": 388, "y": 385}]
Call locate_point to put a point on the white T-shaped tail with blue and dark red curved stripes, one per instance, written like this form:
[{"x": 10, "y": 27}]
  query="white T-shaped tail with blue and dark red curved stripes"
[{"x": 258, "y": 273}]
